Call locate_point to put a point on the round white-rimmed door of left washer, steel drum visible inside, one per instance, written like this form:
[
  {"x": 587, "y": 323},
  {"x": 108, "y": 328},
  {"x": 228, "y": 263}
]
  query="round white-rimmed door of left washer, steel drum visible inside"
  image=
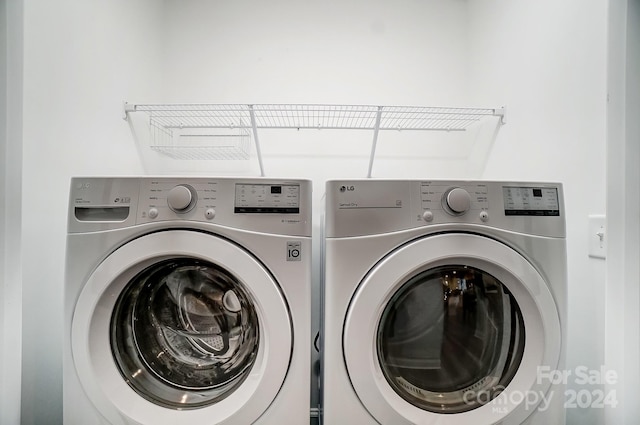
[{"x": 181, "y": 327}]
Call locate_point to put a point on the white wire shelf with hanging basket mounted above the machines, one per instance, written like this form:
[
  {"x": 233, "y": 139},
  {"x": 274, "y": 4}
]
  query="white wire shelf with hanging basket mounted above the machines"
[{"x": 225, "y": 131}]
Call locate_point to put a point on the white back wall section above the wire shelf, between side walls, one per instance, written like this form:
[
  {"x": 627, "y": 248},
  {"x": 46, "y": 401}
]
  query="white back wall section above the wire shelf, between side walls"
[{"x": 287, "y": 51}]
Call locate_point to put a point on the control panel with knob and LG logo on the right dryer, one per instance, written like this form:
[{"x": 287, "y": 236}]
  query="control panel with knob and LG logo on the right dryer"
[{"x": 370, "y": 207}]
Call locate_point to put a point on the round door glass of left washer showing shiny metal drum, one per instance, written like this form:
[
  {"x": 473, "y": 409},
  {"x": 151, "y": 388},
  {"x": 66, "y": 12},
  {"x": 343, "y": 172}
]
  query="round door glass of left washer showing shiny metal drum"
[{"x": 184, "y": 333}]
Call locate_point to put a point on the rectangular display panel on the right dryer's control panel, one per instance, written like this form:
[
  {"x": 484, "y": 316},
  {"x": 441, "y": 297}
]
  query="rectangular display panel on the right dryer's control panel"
[{"x": 538, "y": 201}]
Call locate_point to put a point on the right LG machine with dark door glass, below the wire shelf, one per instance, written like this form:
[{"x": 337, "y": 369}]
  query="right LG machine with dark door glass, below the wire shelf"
[{"x": 444, "y": 303}]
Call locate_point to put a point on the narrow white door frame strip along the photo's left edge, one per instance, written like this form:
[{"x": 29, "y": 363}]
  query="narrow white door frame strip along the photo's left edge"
[{"x": 10, "y": 208}]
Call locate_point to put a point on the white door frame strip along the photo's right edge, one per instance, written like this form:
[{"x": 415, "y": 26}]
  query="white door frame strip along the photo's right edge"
[{"x": 623, "y": 208}]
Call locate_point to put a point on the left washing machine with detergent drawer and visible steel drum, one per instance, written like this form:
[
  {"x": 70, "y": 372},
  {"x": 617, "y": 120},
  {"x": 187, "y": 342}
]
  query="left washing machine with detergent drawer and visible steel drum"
[{"x": 187, "y": 301}]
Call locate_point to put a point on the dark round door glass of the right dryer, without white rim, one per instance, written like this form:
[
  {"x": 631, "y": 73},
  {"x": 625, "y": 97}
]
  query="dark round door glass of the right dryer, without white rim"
[{"x": 448, "y": 332}]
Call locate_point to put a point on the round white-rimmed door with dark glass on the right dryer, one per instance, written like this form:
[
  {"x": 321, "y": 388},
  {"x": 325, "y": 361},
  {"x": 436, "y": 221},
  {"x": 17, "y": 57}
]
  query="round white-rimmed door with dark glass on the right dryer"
[{"x": 451, "y": 329}]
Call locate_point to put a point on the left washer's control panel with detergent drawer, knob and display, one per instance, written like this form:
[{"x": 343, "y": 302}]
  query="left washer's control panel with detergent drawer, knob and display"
[{"x": 260, "y": 204}]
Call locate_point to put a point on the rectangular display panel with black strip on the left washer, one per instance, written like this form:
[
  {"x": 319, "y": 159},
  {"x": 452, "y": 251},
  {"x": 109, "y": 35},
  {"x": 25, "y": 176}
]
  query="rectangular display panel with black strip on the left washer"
[{"x": 267, "y": 199}]
